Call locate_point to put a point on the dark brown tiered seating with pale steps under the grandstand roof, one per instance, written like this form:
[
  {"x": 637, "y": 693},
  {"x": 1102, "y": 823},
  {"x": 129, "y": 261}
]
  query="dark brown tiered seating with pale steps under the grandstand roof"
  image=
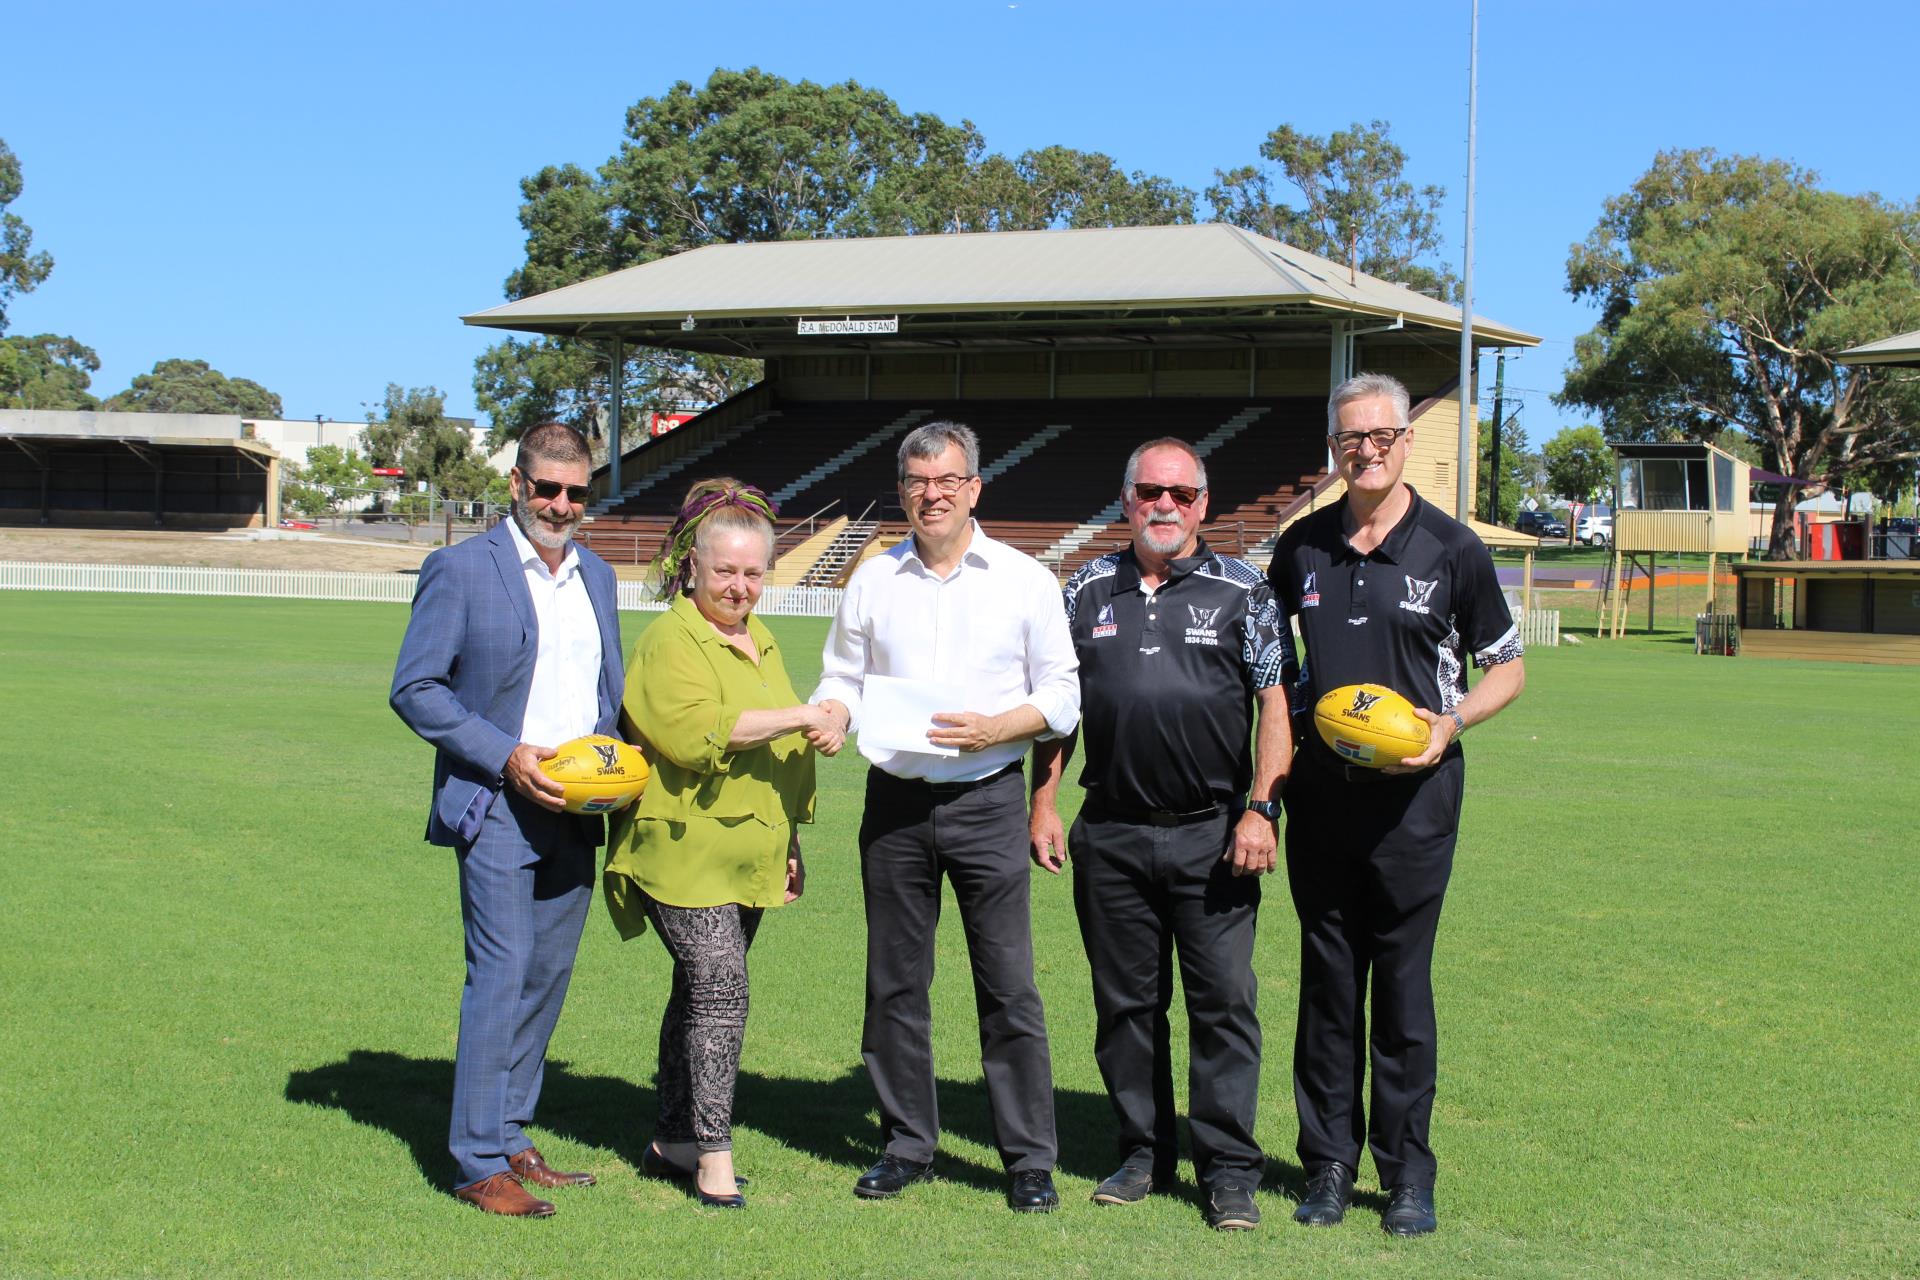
[{"x": 1053, "y": 469}]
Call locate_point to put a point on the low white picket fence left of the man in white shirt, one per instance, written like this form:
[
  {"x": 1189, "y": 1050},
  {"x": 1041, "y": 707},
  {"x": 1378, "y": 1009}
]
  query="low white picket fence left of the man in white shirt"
[{"x": 291, "y": 584}]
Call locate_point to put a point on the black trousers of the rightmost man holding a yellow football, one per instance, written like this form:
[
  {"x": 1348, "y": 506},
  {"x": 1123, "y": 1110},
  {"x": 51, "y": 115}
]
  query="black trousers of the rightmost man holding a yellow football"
[{"x": 1368, "y": 859}]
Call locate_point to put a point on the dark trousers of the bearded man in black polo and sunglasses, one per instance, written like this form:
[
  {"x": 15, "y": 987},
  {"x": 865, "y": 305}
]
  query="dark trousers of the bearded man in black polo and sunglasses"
[{"x": 1143, "y": 891}]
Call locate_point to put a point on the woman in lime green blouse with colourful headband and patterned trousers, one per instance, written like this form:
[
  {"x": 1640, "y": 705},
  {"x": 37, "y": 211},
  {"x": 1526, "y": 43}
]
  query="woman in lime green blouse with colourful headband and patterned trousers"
[{"x": 711, "y": 843}]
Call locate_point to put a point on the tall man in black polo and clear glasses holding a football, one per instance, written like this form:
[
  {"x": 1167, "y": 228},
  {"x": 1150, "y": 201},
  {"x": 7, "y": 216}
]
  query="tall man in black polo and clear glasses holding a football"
[{"x": 1389, "y": 592}]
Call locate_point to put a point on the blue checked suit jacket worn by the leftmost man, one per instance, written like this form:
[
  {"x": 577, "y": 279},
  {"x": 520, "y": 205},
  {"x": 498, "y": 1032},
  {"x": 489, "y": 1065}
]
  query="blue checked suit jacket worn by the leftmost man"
[{"x": 468, "y": 665}]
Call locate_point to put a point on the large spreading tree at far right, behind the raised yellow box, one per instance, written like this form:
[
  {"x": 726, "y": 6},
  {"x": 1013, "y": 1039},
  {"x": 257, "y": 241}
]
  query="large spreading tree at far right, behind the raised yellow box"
[{"x": 1727, "y": 287}]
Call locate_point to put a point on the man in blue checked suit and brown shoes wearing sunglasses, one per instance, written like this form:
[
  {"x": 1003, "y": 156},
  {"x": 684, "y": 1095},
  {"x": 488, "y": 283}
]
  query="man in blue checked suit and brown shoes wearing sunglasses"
[{"x": 514, "y": 648}]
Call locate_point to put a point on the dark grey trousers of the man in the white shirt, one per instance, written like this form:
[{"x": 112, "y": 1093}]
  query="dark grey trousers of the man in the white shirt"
[{"x": 978, "y": 840}]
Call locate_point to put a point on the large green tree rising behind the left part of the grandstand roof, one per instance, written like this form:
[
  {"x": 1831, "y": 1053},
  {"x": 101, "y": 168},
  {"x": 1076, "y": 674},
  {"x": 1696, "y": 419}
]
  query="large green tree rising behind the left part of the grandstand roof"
[{"x": 752, "y": 156}]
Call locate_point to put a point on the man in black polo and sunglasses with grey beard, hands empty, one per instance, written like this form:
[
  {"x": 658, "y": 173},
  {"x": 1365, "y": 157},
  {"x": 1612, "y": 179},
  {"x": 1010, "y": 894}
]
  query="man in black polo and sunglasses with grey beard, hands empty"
[{"x": 1176, "y": 644}]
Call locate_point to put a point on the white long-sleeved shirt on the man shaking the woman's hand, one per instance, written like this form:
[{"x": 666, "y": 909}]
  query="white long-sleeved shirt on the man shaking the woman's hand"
[{"x": 996, "y": 627}]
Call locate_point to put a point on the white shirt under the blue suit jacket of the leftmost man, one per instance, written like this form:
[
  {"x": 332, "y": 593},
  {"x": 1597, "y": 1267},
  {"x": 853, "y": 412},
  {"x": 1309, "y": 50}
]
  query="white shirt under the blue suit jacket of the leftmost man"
[{"x": 564, "y": 701}]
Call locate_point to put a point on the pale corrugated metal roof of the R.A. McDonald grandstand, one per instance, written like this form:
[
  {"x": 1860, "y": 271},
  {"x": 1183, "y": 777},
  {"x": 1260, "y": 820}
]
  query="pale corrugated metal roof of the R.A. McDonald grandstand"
[{"x": 1203, "y": 266}]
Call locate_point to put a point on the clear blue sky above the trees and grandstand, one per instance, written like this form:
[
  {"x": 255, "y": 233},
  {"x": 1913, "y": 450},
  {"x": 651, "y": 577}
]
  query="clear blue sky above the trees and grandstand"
[{"x": 310, "y": 197}]
